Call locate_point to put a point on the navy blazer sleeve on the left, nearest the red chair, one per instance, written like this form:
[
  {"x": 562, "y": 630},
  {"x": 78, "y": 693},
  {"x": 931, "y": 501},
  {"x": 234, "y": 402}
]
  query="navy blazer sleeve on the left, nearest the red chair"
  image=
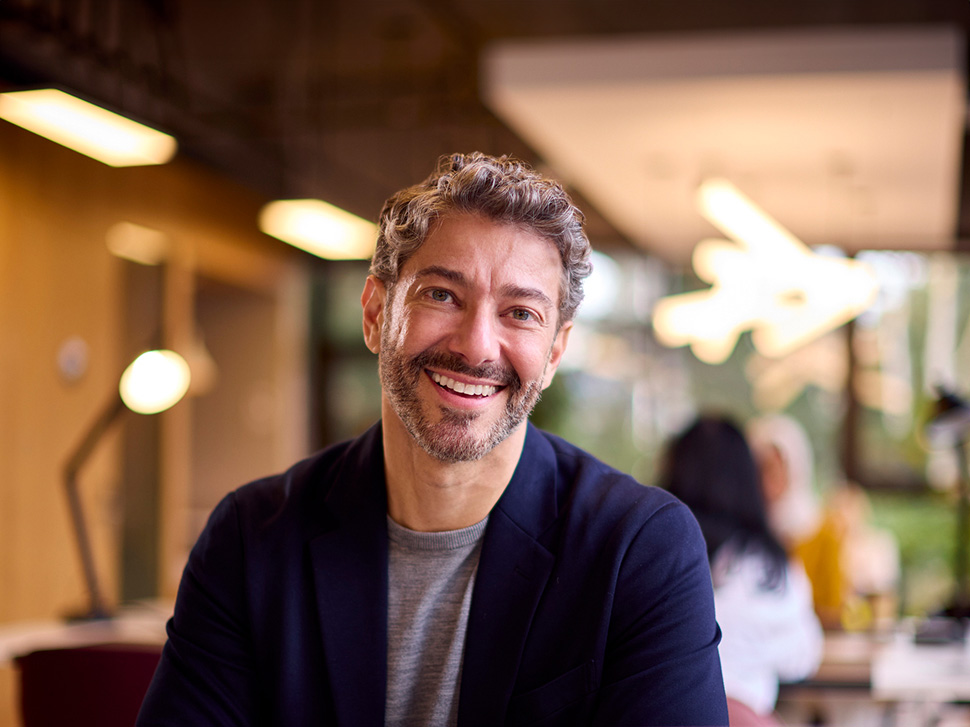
[{"x": 206, "y": 672}]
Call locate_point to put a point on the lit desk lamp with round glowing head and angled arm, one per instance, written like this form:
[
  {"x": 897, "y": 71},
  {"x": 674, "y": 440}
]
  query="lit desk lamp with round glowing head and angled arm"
[{"x": 152, "y": 383}]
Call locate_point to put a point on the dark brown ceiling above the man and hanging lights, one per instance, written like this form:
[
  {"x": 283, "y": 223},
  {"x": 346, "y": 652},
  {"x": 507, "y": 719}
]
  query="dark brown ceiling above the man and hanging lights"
[{"x": 349, "y": 100}]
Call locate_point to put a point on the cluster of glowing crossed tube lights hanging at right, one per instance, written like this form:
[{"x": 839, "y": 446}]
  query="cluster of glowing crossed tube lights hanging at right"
[{"x": 766, "y": 281}]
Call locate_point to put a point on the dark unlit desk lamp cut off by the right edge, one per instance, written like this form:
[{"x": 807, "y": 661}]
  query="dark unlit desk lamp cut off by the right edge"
[{"x": 950, "y": 426}]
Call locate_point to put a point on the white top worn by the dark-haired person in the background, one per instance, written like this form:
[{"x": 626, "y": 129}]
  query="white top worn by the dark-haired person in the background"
[{"x": 769, "y": 635}]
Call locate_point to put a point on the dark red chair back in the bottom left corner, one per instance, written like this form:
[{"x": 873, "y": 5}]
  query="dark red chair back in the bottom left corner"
[{"x": 100, "y": 685}]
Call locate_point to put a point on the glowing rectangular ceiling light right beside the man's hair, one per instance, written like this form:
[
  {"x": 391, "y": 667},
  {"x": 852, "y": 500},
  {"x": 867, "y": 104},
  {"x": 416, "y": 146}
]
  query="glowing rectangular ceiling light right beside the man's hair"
[{"x": 319, "y": 228}]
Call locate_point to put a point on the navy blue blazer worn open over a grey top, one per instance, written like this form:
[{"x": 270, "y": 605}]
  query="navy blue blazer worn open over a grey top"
[{"x": 592, "y": 602}]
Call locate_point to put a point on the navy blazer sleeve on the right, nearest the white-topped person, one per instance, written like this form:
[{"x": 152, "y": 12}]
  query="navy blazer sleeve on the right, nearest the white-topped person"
[{"x": 662, "y": 665}]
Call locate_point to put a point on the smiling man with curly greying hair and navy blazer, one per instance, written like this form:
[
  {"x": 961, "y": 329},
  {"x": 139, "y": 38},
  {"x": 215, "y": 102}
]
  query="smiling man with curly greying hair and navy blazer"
[{"x": 454, "y": 565}]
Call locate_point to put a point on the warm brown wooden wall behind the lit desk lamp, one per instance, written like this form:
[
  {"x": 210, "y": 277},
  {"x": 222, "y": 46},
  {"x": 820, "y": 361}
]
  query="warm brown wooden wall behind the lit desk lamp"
[{"x": 58, "y": 281}]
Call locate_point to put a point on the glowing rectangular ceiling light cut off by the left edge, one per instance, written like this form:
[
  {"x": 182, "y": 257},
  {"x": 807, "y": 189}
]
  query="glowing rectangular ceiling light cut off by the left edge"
[{"x": 86, "y": 128}]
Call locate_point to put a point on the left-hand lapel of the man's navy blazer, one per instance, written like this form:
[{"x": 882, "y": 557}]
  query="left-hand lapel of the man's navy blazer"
[{"x": 350, "y": 577}]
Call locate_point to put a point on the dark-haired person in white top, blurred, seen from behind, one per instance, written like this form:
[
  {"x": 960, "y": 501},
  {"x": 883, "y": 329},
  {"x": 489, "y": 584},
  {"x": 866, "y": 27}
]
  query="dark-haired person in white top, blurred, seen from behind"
[{"x": 762, "y": 599}]
